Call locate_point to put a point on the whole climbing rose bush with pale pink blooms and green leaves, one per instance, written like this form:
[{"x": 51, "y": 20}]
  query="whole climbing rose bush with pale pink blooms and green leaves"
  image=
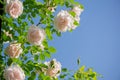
[{"x": 17, "y": 27}]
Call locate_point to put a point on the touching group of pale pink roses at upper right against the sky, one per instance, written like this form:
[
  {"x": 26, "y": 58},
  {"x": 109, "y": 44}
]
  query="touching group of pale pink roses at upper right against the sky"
[{"x": 65, "y": 21}]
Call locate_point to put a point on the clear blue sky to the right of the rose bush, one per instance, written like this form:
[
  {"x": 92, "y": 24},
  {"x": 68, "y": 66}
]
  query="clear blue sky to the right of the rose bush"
[{"x": 96, "y": 41}]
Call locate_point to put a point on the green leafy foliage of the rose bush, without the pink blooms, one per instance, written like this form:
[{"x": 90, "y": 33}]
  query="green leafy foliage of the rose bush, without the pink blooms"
[{"x": 32, "y": 58}]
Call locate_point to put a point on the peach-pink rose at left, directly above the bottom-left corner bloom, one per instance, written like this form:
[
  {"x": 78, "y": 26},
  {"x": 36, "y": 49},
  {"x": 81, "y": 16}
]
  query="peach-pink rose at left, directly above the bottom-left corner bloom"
[{"x": 14, "y": 50}]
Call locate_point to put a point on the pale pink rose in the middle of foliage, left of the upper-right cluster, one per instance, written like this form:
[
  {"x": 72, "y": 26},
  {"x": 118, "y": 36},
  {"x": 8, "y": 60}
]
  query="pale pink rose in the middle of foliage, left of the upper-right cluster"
[{"x": 35, "y": 35}]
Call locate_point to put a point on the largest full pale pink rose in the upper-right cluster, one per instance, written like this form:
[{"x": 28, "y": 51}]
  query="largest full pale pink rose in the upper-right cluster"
[{"x": 62, "y": 21}]
